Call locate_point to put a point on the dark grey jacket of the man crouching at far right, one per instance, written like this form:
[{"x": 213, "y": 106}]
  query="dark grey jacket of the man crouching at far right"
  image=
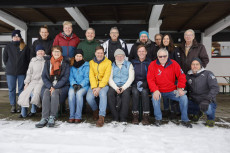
[{"x": 202, "y": 86}]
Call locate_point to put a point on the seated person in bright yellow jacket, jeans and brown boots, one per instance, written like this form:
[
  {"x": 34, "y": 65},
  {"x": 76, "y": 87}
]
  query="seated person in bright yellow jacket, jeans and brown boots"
[{"x": 99, "y": 73}]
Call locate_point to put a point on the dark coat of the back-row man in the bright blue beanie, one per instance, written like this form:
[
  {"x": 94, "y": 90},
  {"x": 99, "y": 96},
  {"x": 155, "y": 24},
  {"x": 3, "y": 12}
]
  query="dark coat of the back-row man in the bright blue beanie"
[{"x": 150, "y": 47}]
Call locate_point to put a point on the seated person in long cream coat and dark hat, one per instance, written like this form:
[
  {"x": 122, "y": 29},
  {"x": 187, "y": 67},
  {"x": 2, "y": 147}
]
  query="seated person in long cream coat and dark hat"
[{"x": 33, "y": 84}]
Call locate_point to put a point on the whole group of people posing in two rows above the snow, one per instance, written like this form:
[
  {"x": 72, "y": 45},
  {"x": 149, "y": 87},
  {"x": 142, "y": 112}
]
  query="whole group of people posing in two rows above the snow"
[{"x": 65, "y": 68}]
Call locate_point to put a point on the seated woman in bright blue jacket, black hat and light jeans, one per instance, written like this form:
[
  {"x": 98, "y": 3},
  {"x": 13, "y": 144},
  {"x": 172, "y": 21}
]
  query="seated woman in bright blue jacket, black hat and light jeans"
[{"x": 79, "y": 84}]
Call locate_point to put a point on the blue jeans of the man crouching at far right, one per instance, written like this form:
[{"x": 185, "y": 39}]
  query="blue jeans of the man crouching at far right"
[{"x": 193, "y": 108}]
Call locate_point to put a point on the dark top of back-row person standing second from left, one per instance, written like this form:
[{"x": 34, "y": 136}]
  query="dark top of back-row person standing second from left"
[{"x": 47, "y": 44}]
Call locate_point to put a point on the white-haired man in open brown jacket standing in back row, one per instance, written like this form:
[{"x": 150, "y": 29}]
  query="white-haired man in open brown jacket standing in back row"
[{"x": 190, "y": 49}]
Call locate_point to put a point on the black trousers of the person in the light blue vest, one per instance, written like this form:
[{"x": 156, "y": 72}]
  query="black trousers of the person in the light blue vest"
[{"x": 125, "y": 98}]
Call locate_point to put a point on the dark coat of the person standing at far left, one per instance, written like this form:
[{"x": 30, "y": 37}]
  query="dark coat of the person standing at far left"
[{"x": 16, "y": 61}]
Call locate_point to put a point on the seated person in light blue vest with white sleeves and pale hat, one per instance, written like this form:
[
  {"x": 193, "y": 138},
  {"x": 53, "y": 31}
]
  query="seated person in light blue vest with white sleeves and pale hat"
[{"x": 121, "y": 78}]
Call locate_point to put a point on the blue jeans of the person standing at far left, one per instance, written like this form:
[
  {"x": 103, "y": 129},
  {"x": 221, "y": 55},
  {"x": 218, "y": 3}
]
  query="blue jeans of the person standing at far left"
[{"x": 11, "y": 82}]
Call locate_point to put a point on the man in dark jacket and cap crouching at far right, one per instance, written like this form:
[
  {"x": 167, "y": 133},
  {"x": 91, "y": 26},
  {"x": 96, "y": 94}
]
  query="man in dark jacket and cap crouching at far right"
[{"x": 202, "y": 90}]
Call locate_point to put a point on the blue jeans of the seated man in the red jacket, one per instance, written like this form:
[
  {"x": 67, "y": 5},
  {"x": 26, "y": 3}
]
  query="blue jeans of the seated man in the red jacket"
[{"x": 183, "y": 102}]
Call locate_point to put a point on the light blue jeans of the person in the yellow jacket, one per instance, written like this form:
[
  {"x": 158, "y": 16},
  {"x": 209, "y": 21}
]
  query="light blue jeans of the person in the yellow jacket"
[{"x": 102, "y": 103}]
